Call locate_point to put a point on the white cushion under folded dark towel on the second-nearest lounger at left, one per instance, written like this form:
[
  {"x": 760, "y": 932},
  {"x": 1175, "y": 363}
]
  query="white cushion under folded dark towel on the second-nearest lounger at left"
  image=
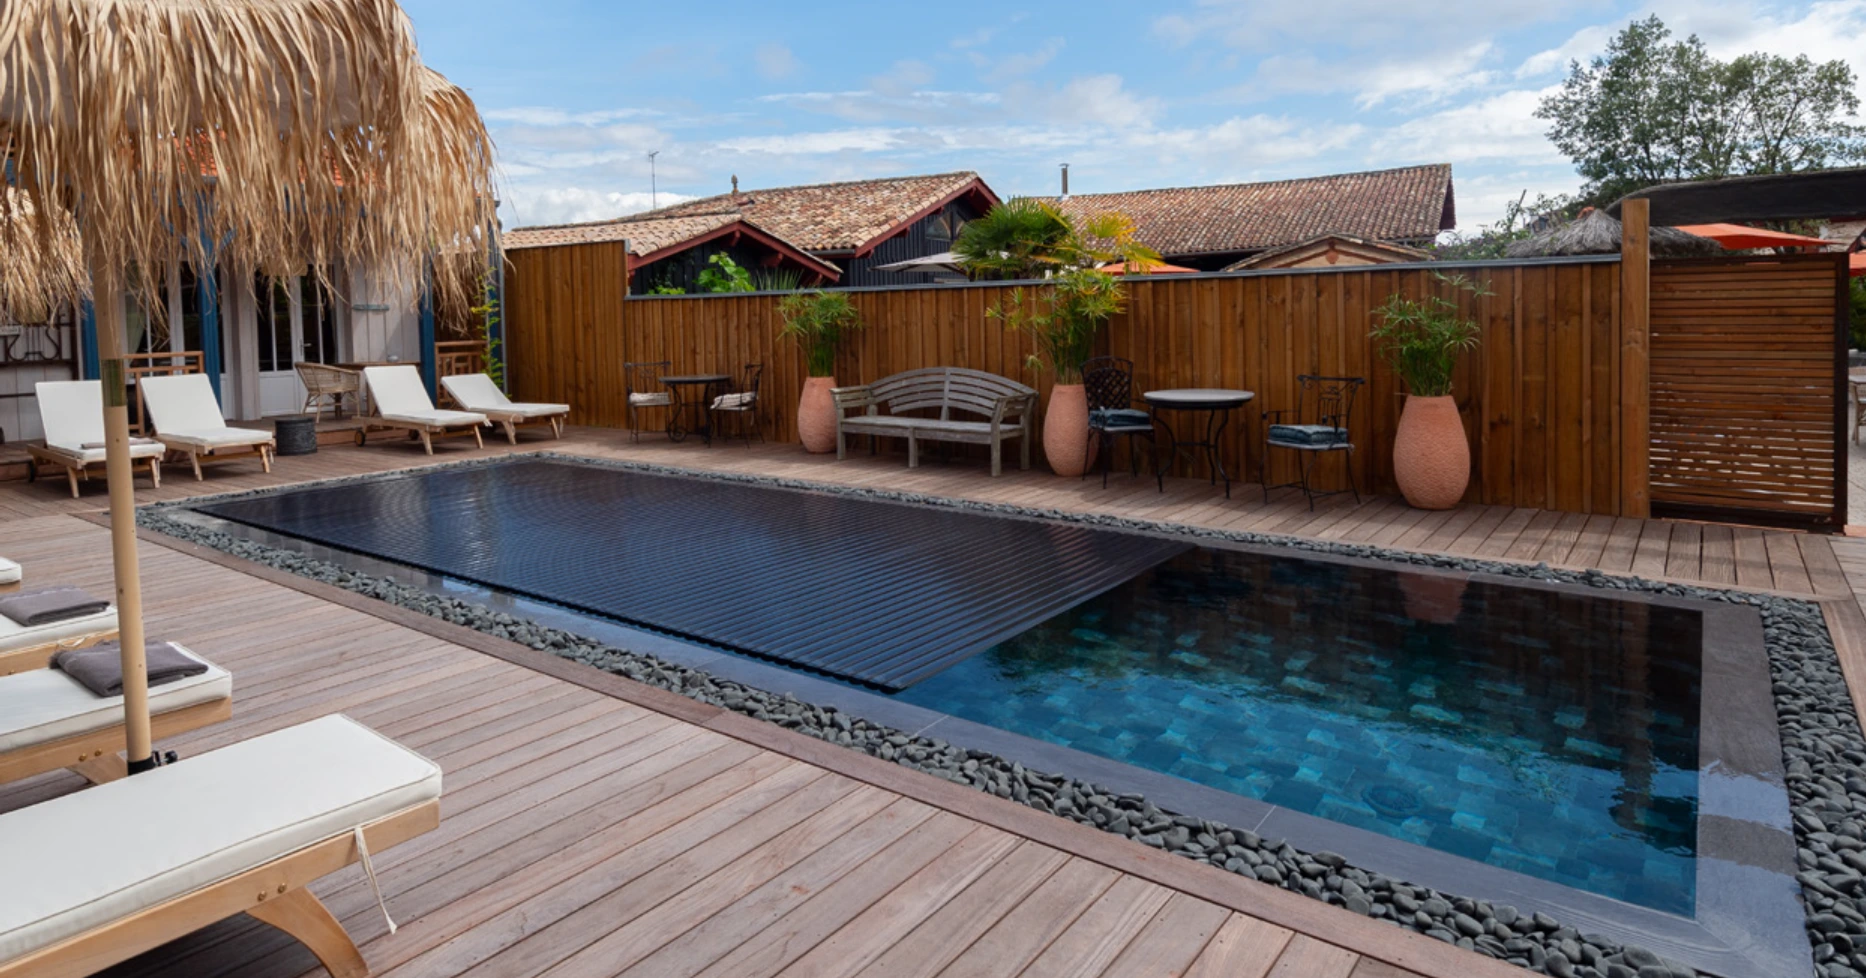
[{"x": 44, "y": 705}]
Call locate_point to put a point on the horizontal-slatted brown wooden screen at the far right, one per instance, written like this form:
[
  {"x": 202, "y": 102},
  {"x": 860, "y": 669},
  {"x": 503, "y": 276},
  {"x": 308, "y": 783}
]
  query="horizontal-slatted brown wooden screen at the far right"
[{"x": 1749, "y": 387}]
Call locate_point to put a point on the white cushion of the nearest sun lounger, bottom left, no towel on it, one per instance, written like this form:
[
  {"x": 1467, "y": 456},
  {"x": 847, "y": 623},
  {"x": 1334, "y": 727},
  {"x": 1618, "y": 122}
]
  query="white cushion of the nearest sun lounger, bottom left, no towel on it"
[{"x": 113, "y": 850}]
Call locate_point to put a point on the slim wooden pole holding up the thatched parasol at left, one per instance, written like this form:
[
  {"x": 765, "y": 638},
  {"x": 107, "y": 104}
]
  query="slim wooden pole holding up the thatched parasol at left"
[{"x": 107, "y": 301}]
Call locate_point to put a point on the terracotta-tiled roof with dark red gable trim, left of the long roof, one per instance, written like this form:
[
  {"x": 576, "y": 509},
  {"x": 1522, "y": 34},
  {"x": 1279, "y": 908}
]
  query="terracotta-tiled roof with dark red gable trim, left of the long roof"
[{"x": 835, "y": 217}]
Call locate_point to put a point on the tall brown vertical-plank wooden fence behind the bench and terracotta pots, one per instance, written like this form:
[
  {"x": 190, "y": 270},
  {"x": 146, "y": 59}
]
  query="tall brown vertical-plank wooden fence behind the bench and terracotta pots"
[{"x": 1542, "y": 397}]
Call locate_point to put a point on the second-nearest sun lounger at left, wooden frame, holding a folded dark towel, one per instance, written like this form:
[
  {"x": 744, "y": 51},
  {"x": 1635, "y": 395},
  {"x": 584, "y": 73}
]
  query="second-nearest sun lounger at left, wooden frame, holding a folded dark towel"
[{"x": 49, "y": 721}]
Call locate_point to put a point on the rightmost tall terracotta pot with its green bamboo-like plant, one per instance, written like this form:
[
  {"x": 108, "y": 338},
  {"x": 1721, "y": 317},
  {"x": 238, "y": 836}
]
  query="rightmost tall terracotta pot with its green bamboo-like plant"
[{"x": 1423, "y": 341}]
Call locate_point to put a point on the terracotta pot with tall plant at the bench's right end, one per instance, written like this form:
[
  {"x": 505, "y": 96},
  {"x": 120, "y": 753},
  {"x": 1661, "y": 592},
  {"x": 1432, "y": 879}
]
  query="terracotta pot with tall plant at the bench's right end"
[{"x": 1065, "y": 318}]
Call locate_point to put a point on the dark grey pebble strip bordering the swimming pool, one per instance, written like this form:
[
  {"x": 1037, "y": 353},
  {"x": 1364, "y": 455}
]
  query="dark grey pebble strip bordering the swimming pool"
[{"x": 1822, "y": 744}]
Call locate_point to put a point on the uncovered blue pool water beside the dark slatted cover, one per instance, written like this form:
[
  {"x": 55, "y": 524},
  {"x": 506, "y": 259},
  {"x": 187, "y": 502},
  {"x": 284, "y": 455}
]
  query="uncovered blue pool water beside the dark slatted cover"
[{"x": 1548, "y": 733}]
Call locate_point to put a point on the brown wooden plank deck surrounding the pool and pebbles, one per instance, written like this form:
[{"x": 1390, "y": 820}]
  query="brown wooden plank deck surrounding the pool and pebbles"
[{"x": 598, "y": 828}]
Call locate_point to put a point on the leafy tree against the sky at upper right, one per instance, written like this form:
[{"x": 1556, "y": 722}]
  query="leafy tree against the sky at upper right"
[{"x": 1660, "y": 111}]
